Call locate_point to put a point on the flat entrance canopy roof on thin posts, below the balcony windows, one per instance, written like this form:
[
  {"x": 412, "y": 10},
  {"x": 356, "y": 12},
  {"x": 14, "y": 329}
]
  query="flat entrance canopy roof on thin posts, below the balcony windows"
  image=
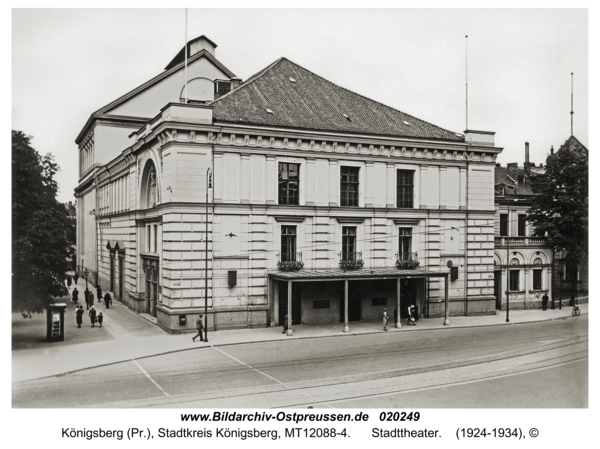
[{"x": 340, "y": 275}]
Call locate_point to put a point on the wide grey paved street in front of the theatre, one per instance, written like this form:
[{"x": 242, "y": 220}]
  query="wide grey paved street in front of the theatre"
[{"x": 395, "y": 369}]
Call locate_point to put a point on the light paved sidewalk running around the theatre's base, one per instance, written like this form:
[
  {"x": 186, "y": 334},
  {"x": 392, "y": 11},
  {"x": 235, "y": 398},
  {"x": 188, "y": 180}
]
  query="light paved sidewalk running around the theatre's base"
[{"x": 126, "y": 335}]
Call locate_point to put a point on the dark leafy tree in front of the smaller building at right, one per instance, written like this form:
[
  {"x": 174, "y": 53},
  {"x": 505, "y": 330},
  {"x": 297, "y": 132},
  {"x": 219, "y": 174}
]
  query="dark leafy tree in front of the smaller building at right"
[{"x": 560, "y": 207}]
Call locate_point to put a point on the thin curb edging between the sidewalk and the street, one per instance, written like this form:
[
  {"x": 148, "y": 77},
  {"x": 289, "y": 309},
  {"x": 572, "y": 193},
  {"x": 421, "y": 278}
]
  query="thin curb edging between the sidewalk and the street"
[{"x": 299, "y": 338}]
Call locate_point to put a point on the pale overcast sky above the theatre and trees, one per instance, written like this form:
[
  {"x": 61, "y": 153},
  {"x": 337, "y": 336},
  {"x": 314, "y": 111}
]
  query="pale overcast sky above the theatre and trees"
[{"x": 68, "y": 63}]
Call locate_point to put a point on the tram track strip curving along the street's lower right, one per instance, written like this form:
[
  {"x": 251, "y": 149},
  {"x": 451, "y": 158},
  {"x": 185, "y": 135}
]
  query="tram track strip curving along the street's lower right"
[{"x": 332, "y": 389}]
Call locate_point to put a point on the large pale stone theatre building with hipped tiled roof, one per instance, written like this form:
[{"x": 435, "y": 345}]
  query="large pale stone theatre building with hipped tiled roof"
[{"x": 322, "y": 201}]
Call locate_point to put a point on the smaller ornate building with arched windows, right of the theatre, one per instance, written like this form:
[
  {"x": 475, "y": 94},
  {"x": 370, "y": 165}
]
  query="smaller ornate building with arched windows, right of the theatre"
[{"x": 529, "y": 255}]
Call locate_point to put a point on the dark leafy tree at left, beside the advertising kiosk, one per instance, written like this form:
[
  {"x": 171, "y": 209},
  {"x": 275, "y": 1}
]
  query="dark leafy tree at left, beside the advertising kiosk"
[{"x": 41, "y": 234}]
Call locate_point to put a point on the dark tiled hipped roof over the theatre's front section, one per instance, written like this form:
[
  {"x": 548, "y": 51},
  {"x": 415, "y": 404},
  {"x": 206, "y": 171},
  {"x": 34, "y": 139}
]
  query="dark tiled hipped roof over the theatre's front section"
[{"x": 312, "y": 102}]
